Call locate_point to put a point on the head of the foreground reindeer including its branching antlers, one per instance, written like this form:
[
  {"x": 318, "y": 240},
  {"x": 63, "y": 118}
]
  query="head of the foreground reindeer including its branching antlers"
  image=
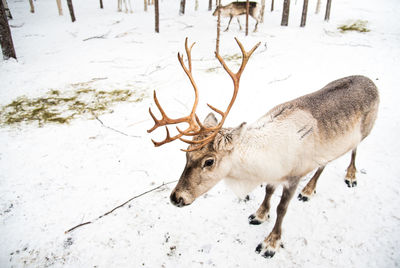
[{"x": 207, "y": 157}]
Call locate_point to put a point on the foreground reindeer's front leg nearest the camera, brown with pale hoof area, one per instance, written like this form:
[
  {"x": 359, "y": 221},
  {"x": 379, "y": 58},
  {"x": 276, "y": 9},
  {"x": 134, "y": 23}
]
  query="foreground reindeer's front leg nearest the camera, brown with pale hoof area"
[{"x": 271, "y": 243}]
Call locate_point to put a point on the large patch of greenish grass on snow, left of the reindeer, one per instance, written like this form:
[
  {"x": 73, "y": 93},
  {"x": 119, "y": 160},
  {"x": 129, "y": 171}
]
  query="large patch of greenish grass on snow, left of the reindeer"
[{"x": 63, "y": 107}]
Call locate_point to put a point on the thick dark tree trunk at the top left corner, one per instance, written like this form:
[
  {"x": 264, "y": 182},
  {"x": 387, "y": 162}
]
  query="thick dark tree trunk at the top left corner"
[{"x": 6, "y": 42}]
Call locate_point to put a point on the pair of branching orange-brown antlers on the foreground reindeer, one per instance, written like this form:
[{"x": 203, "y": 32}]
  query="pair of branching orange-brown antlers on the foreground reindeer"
[{"x": 195, "y": 127}]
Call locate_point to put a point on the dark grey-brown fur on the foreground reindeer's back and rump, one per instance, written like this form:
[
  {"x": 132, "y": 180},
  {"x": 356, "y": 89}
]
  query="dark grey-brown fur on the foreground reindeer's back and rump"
[{"x": 343, "y": 101}]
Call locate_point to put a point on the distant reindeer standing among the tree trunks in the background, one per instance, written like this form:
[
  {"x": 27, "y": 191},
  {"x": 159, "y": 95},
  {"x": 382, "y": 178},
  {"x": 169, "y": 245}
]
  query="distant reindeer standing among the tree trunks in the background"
[{"x": 235, "y": 9}]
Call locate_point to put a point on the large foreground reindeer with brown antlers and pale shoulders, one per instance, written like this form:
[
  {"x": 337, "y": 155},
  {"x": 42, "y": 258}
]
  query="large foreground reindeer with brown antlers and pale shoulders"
[{"x": 291, "y": 140}]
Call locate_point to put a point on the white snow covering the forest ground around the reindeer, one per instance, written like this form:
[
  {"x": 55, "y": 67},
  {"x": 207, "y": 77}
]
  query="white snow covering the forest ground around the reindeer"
[{"x": 57, "y": 176}]
